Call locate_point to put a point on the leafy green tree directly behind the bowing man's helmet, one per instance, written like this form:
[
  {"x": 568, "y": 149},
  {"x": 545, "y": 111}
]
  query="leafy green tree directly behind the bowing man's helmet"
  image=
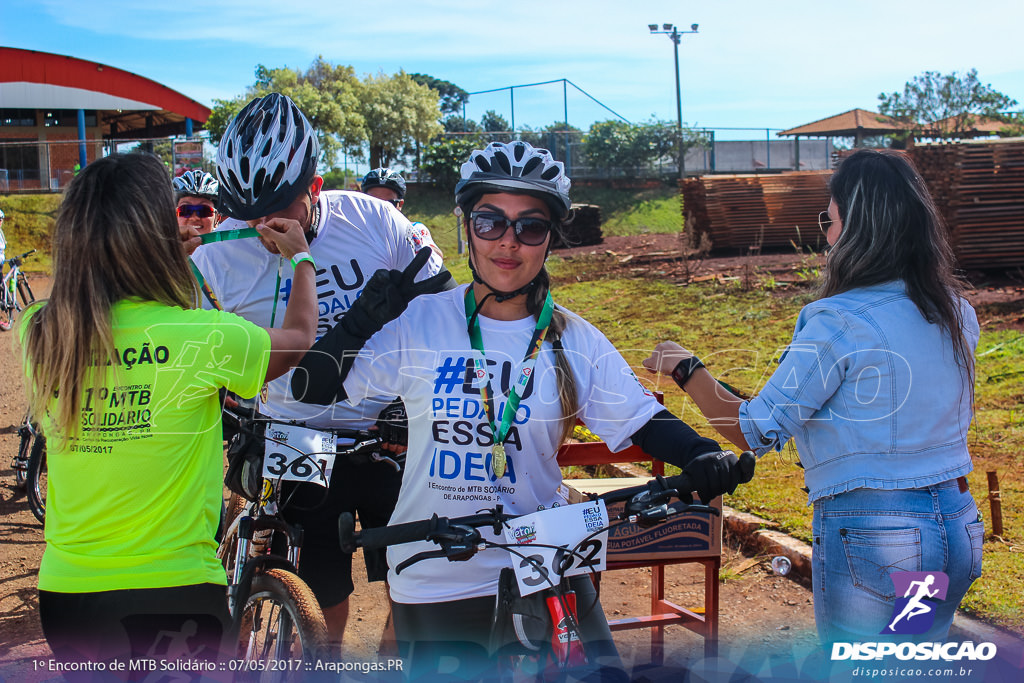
[{"x": 327, "y": 94}]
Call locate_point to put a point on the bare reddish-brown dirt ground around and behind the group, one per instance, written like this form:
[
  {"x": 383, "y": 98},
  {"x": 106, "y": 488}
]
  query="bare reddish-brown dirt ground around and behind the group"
[{"x": 760, "y": 614}]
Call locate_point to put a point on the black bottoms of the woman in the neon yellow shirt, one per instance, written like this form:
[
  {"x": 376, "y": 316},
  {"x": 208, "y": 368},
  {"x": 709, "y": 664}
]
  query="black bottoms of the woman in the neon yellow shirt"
[{"x": 188, "y": 623}]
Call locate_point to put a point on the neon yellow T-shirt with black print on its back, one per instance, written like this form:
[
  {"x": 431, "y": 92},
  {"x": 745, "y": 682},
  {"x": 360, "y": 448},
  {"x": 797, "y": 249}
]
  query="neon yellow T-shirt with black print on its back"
[{"x": 135, "y": 499}]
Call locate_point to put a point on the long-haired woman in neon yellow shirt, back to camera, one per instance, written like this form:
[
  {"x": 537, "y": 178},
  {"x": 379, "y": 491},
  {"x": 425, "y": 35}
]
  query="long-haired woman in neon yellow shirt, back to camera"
[{"x": 124, "y": 370}]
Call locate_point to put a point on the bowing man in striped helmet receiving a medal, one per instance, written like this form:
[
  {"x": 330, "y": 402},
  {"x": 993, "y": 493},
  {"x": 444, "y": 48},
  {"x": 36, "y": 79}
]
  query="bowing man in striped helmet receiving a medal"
[{"x": 267, "y": 166}]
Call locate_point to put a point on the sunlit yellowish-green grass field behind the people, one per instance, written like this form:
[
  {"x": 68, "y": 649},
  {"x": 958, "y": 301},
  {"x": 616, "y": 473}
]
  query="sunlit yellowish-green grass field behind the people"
[{"x": 740, "y": 333}]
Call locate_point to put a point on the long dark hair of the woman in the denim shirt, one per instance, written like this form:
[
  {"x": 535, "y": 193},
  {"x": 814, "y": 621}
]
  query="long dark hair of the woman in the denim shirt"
[{"x": 891, "y": 230}]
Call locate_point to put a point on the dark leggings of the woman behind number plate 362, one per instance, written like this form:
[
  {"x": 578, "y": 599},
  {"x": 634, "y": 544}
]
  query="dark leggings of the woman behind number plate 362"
[{"x": 452, "y": 641}]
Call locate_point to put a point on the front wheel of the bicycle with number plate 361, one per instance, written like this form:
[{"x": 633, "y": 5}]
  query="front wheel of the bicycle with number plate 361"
[{"x": 282, "y": 621}]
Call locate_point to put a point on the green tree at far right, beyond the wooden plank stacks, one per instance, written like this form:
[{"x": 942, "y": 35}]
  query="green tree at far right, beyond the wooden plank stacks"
[{"x": 945, "y": 106}]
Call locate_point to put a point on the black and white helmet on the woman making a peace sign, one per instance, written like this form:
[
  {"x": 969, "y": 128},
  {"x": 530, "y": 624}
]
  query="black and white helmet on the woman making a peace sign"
[{"x": 515, "y": 167}]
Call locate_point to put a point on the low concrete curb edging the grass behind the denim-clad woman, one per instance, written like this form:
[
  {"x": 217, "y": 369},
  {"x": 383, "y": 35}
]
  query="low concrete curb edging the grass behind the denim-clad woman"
[{"x": 751, "y": 531}]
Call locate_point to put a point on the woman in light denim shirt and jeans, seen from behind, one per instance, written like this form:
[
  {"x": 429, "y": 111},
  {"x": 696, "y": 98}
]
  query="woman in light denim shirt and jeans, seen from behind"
[{"x": 877, "y": 391}]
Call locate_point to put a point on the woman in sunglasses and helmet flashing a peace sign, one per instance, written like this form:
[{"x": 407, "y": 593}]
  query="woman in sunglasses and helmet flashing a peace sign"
[{"x": 457, "y": 359}]
